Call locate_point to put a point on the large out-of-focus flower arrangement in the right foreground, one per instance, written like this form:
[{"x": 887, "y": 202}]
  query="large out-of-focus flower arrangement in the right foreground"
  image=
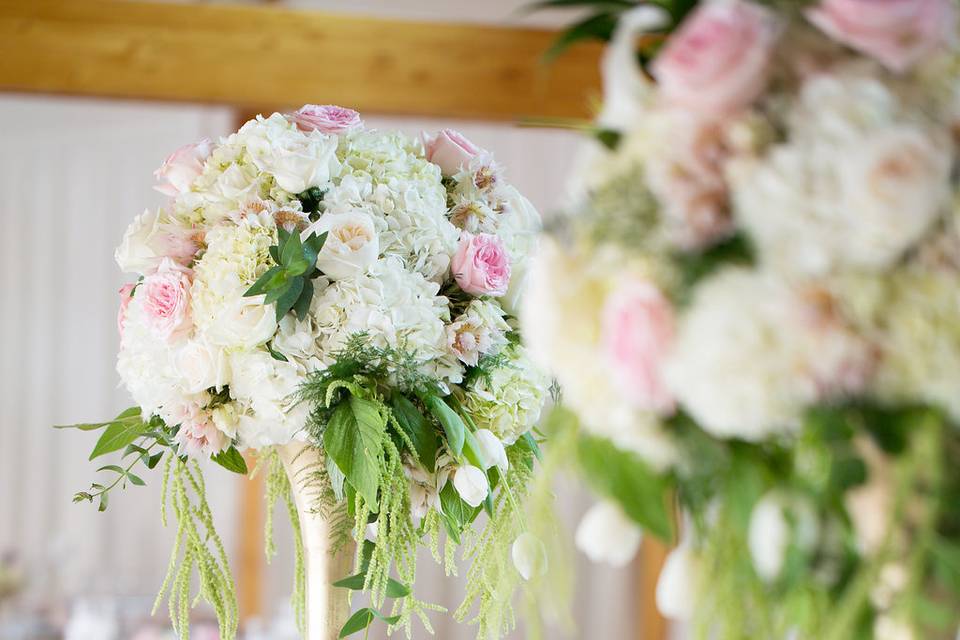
[{"x": 752, "y": 311}]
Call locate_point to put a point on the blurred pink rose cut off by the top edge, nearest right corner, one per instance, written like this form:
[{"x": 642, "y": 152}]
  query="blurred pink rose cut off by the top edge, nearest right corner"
[{"x": 898, "y": 33}]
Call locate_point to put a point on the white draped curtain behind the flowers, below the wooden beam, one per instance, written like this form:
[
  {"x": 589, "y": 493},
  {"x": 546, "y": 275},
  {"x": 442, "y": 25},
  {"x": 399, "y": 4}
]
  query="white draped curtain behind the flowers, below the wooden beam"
[{"x": 73, "y": 173}]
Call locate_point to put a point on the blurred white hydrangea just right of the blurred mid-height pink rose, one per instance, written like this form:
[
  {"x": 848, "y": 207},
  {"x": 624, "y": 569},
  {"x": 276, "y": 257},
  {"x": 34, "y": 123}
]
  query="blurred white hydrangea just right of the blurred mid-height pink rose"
[{"x": 752, "y": 352}]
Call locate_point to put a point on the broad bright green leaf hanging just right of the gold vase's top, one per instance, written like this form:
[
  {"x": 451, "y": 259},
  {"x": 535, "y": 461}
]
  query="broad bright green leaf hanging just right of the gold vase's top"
[{"x": 354, "y": 439}]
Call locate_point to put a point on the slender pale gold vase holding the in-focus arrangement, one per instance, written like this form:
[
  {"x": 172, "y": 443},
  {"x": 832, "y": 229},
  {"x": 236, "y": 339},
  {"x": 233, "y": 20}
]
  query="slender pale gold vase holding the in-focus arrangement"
[{"x": 327, "y": 607}]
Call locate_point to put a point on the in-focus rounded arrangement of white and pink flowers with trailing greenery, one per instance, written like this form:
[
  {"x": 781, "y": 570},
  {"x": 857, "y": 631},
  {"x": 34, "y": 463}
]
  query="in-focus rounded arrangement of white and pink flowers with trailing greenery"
[{"x": 314, "y": 281}]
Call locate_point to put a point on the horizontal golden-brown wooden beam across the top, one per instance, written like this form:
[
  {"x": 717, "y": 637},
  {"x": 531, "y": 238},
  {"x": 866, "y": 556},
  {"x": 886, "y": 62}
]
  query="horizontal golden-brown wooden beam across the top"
[{"x": 251, "y": 56}]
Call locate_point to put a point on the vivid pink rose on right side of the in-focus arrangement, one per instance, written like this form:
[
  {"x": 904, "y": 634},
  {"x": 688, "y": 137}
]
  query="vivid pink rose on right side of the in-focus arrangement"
[{"x": 481, "y": 265}]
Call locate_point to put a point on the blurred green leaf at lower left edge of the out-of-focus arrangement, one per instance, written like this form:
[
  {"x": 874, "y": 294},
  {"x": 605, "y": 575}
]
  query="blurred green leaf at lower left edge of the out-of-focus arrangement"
[{"x": 626, "y": 478}]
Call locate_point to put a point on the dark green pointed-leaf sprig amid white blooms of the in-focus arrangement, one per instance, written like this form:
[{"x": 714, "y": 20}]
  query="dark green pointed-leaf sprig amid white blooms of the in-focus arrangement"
[{"x": 289, "y": 284}]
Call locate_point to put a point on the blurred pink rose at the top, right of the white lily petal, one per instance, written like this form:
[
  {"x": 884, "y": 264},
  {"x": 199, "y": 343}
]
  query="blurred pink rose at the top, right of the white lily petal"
[{"x": 718, "y": 61}]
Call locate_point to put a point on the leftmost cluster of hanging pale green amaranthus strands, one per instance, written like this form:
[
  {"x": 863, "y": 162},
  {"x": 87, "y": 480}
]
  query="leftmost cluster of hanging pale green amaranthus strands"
[{"x": 197, "y": 548}]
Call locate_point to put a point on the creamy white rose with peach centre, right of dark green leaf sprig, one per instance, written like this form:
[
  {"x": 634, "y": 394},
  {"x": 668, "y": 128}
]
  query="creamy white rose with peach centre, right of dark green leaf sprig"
[{"x": 352, "y": 244}]
